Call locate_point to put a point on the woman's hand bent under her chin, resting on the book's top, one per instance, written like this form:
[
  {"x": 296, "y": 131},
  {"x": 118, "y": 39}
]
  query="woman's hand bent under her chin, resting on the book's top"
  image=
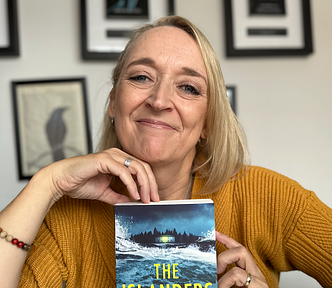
[{"x": 89, "y": 177}]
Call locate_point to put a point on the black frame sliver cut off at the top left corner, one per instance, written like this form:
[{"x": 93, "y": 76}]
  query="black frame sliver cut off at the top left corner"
[{"x": 9, "y": 45}]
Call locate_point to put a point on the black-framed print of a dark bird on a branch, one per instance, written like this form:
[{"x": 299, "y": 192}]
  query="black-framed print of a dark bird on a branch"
[{"x": 51, "y": 122}]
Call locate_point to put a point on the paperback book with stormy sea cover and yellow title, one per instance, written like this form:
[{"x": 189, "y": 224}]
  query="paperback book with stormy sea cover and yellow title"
[{"x": 166, "y": 244}]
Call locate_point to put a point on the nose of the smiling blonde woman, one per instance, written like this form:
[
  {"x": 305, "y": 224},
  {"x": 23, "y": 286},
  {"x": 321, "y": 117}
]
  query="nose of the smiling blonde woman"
[{"x": 161, "y": 96}]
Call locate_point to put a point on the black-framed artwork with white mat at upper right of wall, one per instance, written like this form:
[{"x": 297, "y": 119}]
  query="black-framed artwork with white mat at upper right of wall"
[{"x": 267, "y": 27}]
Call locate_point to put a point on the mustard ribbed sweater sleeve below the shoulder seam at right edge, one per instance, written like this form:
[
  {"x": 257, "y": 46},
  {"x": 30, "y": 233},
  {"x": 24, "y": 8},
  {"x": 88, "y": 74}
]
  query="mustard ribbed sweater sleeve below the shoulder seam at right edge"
[{"x": 309, "y": 246}]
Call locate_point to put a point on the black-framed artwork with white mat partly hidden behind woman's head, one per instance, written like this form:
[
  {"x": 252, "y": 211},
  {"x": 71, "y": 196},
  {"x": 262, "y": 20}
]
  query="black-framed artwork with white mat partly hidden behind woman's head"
[{"x": 106, "y": 25}]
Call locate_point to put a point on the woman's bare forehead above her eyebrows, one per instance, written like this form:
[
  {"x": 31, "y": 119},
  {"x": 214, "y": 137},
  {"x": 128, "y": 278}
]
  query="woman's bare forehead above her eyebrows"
[{"x": 169, "y": 44}]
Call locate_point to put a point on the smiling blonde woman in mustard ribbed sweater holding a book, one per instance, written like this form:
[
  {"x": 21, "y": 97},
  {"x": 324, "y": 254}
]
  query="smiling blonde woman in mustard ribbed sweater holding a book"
[{"x": 173, "y": 136}]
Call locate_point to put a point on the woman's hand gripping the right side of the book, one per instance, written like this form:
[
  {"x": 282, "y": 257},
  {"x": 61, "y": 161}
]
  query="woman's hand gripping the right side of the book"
[{"x": 245, "y": 264}]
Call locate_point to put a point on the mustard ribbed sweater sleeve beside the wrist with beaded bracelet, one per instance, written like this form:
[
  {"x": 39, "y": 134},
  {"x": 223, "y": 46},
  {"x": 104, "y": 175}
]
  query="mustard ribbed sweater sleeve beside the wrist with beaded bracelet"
[{"x": 44, "y": 267}]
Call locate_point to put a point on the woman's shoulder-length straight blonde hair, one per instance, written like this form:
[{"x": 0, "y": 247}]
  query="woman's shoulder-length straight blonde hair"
[{"x": 224, "y": 153}]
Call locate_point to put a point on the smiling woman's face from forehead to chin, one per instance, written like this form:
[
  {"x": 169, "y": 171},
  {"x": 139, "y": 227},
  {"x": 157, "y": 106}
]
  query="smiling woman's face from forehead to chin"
[{"x": 160, "y": 101}]
